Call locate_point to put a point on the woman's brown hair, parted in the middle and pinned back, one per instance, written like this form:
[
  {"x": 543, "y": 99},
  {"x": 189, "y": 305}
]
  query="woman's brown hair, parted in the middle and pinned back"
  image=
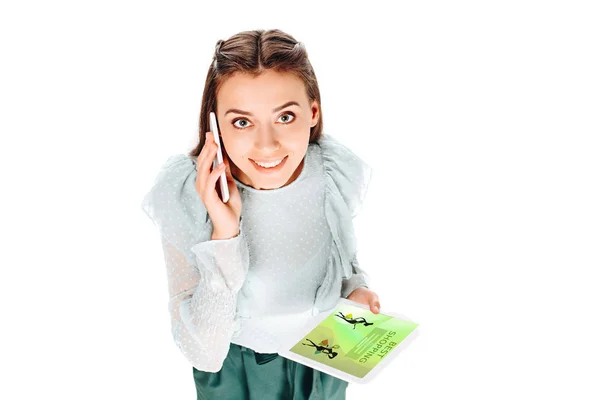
[{"x": 254, "y": 52}]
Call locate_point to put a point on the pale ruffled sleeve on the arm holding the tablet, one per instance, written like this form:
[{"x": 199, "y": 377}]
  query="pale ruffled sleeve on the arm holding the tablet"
[{"x": 347, "y": 182}]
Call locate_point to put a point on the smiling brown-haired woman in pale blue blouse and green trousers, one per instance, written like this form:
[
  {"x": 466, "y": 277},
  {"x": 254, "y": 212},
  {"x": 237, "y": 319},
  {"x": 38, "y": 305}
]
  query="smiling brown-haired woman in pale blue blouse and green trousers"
[{"x": 241, "y": 279}]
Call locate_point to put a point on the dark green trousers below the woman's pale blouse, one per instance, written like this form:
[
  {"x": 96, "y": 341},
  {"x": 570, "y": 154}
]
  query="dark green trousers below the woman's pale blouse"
[{"x": 247, "y": 375}]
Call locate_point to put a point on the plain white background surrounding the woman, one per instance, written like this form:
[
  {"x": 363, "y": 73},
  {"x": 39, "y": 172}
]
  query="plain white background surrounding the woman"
[{"x": 480, "y": 120}]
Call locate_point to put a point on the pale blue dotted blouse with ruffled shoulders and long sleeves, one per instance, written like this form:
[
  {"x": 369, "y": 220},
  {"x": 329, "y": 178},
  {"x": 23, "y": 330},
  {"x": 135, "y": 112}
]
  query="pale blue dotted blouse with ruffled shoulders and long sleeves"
[{"x": 295, "y": 256}]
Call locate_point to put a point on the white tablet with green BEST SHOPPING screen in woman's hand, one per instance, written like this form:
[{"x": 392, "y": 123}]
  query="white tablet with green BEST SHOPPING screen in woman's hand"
[{"x": 350, "y": 342}]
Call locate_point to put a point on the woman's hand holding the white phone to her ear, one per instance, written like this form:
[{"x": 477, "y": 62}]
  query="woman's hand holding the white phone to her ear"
[{"x": 225, "y": 217}]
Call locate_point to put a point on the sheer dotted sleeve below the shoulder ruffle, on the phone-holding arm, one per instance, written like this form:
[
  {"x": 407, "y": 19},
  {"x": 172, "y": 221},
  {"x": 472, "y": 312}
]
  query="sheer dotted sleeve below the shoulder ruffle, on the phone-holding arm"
[{"x": 202, "y": 300}]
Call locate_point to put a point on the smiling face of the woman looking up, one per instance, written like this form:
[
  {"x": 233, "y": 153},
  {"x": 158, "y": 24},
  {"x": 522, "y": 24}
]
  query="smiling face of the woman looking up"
[{"x": 258, "y": 122}]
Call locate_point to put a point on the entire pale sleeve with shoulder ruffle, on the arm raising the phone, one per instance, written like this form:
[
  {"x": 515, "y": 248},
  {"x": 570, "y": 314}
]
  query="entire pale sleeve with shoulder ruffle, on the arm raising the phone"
[{"x": 204, "y": 275}]
